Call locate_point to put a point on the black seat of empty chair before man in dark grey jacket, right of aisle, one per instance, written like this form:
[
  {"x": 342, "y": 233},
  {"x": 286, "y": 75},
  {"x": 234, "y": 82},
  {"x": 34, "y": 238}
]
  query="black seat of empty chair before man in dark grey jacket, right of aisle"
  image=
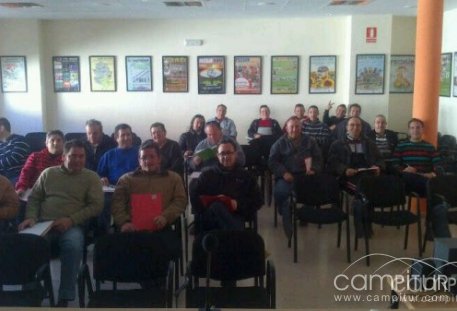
[{"x": 321, "y": 215}]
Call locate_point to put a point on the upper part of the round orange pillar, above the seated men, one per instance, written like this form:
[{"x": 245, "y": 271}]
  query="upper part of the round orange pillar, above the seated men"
[{"x": 429, "y": 30}]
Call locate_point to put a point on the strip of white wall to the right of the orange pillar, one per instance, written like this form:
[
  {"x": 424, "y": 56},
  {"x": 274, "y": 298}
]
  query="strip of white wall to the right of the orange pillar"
[{"x": 448, "y": 105}]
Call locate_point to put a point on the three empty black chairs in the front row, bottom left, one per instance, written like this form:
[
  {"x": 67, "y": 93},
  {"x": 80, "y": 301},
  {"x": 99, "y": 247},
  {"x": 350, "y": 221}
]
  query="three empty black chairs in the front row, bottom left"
[{"x": 147, "y": 259}]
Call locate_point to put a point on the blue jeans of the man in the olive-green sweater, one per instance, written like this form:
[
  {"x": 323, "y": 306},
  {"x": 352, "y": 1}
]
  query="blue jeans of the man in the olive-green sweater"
[{"x": 71, "y": 245}]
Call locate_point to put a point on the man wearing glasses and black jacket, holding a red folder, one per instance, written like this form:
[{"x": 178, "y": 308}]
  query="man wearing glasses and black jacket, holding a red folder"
[{"x": 225, "y": 196}]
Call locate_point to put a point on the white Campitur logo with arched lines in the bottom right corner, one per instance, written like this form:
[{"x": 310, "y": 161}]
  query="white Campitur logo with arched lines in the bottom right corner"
[{"x": 419, "y": 275}]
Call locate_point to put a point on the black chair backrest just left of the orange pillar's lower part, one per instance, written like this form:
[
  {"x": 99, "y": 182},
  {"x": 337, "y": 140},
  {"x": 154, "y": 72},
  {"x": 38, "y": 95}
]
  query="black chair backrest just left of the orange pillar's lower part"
[{"x": 383, "y": 191}]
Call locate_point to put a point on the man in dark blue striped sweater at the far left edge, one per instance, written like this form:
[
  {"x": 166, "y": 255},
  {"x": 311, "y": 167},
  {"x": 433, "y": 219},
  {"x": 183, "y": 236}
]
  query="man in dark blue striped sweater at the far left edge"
[{"x": 13, "y": 152}]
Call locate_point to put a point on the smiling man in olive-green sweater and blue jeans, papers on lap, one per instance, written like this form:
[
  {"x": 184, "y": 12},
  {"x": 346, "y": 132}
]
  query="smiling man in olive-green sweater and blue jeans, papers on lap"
[{"x": 68, "y": 195}]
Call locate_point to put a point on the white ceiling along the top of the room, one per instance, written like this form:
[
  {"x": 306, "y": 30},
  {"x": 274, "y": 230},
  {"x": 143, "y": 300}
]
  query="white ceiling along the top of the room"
[{"x": 211, "y": 9}]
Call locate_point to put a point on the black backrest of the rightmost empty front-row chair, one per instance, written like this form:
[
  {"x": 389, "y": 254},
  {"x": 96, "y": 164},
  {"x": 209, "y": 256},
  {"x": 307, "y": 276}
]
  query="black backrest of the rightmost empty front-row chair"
[{"x": 240, "y": 254}]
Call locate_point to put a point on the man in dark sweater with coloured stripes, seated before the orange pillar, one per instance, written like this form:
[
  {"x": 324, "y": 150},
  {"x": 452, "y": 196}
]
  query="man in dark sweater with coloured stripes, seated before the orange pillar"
[{"x": 416, "y": 159}]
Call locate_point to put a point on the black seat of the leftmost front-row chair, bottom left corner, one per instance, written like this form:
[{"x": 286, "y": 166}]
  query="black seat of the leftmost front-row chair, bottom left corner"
[{"x": 31, "y": 298}]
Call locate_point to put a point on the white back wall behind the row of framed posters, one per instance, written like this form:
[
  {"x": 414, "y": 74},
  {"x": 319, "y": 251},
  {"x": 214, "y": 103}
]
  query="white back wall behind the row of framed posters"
[{"x": 341, "y": 36}]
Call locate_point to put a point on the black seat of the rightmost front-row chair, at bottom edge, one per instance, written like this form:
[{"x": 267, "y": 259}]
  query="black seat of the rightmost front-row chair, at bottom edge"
[{"x": 230, "y": 297}]
